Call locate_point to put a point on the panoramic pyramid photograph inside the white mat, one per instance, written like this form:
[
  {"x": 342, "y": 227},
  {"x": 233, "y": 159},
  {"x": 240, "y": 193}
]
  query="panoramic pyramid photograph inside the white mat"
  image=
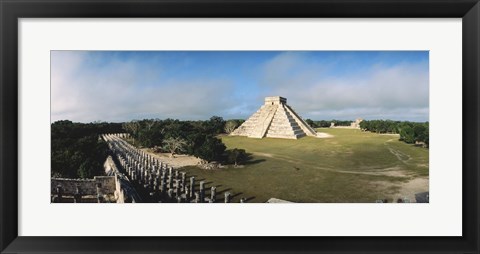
[{"x": 239, "y": 126}]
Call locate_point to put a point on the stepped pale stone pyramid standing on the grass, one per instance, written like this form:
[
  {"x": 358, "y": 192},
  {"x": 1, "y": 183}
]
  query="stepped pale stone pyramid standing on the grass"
[{"x": 274, "y": 119}]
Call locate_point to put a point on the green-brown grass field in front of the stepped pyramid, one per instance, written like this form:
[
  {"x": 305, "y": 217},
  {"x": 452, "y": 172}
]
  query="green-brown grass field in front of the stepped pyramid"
[{"x": 352, "y": 166}]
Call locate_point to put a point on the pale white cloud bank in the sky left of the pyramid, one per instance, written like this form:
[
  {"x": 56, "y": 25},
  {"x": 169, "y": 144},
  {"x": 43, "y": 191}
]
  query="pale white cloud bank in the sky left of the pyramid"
[{"x": 122, "y": 91}]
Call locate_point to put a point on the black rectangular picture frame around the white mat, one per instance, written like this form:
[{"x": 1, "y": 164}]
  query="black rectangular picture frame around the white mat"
[{"x": 12, "y": 10}]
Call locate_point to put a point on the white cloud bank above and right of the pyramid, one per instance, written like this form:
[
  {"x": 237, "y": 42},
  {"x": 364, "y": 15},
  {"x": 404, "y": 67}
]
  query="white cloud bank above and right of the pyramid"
[{"x": 393, "y": 92}]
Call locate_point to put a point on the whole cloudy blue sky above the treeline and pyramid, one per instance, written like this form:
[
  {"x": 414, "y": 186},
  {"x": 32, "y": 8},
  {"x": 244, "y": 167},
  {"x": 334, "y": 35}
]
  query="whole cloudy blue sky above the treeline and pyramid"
[{"x": 195, "y": 85}]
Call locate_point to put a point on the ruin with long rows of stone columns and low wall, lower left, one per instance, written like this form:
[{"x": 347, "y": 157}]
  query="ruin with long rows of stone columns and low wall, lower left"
[{"x": 134, "y": 176}]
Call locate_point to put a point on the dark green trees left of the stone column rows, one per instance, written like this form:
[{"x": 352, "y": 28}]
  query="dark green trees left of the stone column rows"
[{"x": 77, "y": 151}]
